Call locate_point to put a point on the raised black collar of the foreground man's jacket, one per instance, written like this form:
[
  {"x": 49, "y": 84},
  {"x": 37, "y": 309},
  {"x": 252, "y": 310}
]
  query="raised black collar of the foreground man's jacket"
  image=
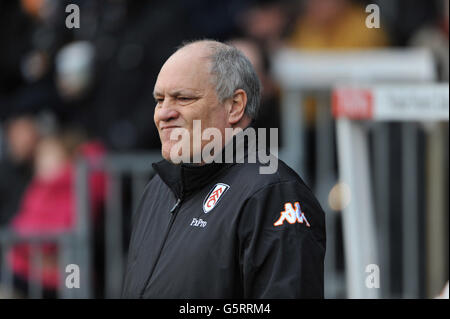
[{"x": 185, "y": 179}]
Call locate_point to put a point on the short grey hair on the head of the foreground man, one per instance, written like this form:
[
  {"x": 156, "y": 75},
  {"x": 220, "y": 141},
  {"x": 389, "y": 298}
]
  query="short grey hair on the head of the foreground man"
[{"x": 232, "y": 71}]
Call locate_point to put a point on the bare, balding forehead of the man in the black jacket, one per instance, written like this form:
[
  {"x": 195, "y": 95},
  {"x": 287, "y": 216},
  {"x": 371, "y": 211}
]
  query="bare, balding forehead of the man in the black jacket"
[{"x": 186, "y": 69}]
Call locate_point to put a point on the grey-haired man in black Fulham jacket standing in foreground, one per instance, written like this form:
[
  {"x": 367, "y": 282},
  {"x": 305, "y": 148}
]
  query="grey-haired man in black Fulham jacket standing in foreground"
[{"x": 220, "y": 229}]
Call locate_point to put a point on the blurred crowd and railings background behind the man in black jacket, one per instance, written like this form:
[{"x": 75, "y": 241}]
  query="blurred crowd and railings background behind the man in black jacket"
[{"x": 77, "y": 137}]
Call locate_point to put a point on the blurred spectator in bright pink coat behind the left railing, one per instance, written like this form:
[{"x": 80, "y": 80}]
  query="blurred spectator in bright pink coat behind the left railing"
[{"x": 48, "y": 206}]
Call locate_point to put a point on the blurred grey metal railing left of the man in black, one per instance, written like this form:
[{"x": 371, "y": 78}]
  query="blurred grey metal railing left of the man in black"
[{"x": 76, "y": 247}]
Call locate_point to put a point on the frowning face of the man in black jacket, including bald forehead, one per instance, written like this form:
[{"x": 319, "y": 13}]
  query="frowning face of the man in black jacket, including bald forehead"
[{"x": 185, "y": 92}]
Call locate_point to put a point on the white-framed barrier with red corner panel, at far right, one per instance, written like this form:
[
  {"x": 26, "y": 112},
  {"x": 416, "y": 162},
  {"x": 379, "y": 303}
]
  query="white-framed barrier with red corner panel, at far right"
[{"x": 408, "y": 105}]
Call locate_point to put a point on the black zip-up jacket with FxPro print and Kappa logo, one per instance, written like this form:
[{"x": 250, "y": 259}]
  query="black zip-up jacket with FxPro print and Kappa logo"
[{"x": 241, "y": 248}]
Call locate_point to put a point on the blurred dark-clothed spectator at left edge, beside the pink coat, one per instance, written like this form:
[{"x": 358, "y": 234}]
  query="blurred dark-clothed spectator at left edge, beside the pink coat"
[{"x": 22, "y": 136}]
